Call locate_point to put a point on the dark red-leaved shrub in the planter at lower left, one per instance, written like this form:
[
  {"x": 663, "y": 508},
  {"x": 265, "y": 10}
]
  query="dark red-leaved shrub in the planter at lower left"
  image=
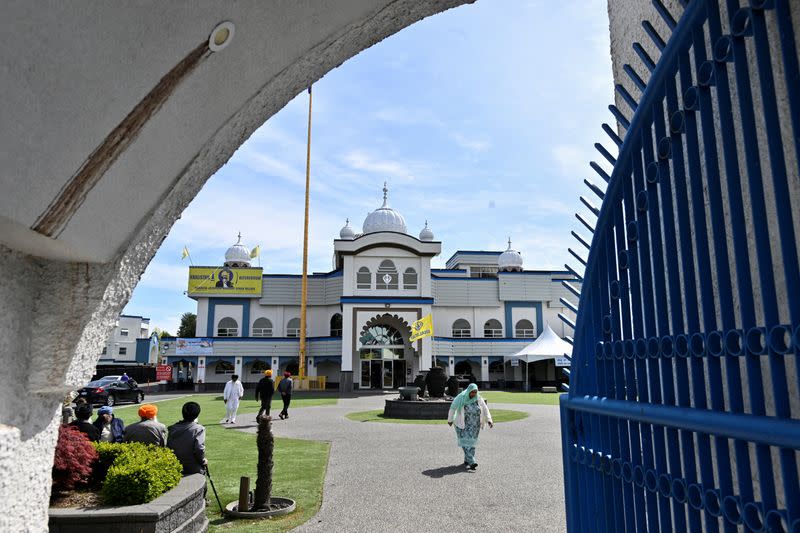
[{"x": 75, "y": 455}]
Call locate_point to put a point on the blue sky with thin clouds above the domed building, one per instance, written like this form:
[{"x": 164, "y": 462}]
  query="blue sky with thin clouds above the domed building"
[{"x": 482, "y": 120}]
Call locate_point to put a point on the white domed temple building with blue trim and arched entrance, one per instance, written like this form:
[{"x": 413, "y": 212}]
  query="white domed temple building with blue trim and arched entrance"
[{"x": 484, "y": 306}]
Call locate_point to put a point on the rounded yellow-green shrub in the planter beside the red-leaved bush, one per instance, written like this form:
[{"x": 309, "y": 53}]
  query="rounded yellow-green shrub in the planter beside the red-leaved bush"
[{"x": 139, "y": 474}]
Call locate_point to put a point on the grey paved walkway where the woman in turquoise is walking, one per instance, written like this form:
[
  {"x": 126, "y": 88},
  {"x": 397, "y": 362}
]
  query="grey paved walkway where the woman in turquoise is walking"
[{"x": 409, "y": 478}]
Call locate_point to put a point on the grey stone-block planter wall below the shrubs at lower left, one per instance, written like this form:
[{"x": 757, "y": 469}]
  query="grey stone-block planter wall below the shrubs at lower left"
[{"x": 180, "y": 510}]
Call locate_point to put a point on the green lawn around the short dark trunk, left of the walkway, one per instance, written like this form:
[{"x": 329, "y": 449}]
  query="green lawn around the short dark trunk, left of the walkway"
[{"x": 299, "y": 464}]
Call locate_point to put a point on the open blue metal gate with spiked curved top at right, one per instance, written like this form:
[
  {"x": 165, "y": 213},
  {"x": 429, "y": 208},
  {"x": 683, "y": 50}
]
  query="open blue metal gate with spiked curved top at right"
[{"x": 683, "y": 411}]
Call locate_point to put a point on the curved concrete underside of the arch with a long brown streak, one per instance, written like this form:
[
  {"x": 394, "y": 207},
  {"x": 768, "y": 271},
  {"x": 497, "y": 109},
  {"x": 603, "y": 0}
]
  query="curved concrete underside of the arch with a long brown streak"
[{"x": 115, "y": 115}]
